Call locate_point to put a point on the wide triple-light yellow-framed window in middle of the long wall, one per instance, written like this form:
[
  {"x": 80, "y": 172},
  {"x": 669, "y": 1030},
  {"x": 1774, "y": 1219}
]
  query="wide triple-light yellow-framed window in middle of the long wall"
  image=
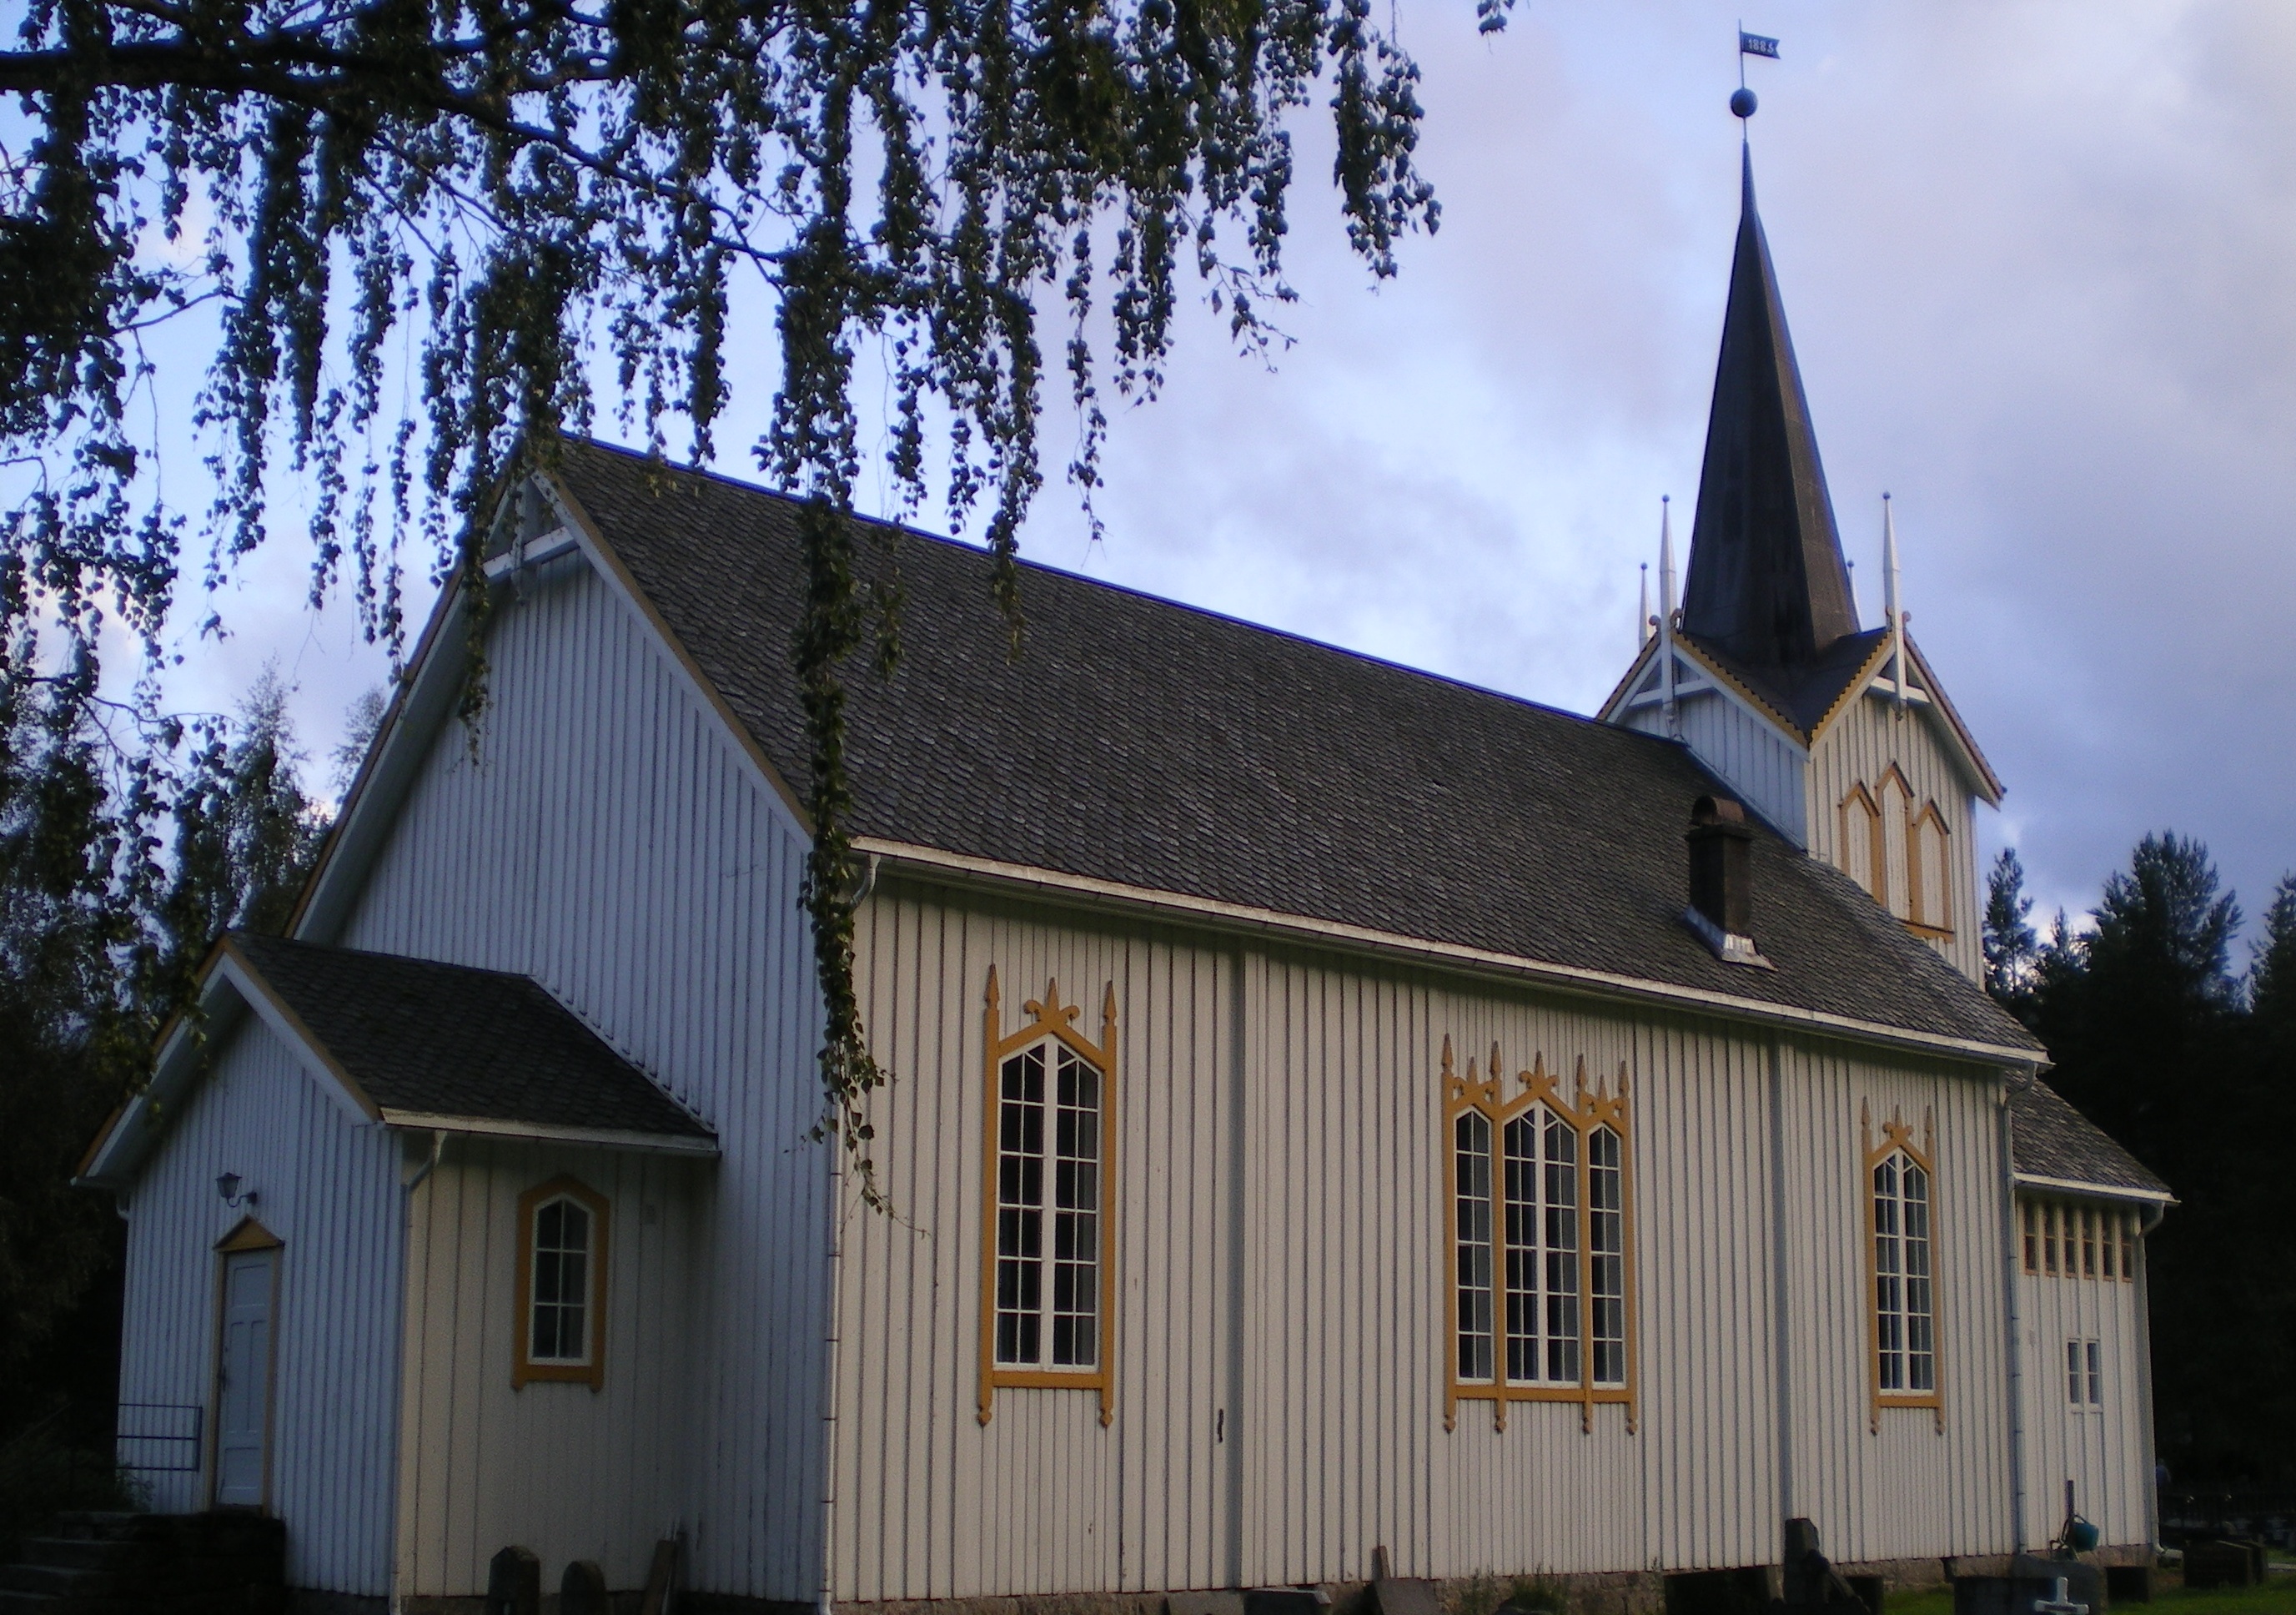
[{"x": 1542, "y": 1244}]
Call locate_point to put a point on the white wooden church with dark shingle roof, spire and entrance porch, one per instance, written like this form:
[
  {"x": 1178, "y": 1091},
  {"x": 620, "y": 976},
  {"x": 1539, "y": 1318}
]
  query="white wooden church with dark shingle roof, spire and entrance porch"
[{"x": 1333, "y": 1108}]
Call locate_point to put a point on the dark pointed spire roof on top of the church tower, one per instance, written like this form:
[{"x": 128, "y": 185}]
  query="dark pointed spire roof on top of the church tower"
[{"x": 1767, "y": 575}]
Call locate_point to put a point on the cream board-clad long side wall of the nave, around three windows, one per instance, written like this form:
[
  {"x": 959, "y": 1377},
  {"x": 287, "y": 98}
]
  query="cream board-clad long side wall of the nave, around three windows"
[{"x": 1280, "y": 1161}]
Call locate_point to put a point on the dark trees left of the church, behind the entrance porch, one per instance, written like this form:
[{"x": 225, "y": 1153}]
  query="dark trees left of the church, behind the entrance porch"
[{"x": 123, "y": 856}]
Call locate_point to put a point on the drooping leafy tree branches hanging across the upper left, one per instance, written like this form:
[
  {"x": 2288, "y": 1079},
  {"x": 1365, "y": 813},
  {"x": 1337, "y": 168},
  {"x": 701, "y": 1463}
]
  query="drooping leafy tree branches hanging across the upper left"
[{"x": 490, "y": 203}]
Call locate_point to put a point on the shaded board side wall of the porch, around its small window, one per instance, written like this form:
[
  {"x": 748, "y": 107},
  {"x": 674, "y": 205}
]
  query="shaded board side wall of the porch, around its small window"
[{"x": 568, "y": 1471}]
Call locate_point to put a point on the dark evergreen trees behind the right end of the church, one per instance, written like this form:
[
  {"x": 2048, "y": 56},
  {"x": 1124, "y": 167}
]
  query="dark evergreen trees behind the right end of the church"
[{"x": 2187, "y": 1056}]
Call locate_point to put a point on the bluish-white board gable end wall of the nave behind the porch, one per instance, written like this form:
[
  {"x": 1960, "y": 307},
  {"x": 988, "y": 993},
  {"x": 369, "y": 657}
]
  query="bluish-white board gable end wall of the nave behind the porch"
[{"x": 607, "y": 837}]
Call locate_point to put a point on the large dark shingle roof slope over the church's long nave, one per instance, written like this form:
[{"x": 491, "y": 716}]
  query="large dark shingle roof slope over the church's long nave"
[{"x": 1172, "y": 750}]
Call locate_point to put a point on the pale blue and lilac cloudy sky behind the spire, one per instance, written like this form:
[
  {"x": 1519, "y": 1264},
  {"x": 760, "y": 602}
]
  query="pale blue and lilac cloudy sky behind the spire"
[{"x": 2040, "y": 263}]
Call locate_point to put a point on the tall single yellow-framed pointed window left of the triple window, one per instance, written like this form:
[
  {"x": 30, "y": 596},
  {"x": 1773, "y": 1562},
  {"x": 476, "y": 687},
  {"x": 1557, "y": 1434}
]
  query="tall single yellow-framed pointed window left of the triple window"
[{"x": 1048, "y": 1239}]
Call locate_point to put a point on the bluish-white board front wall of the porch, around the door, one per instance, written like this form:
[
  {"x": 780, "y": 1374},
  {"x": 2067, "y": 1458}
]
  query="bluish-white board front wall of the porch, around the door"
[{"x": 329, "y": 1189}]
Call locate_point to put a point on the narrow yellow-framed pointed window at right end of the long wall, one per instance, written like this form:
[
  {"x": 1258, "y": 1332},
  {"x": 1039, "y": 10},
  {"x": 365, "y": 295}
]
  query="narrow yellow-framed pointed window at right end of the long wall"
[{"x": 1902, "y": 1278}]
